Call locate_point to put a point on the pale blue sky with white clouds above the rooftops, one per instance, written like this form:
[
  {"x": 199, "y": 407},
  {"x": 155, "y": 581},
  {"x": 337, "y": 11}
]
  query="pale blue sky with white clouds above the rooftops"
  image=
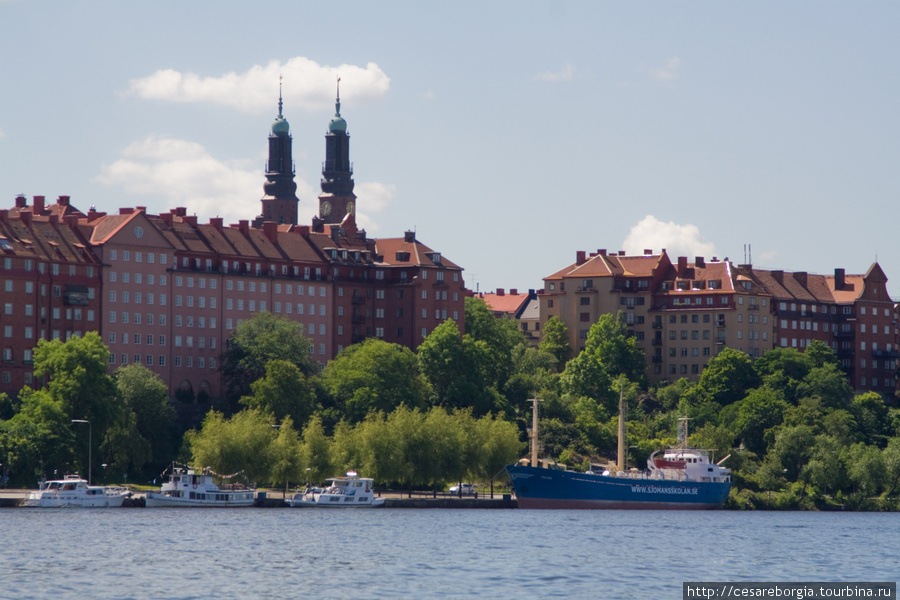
[{"x": 508, "y": 135}]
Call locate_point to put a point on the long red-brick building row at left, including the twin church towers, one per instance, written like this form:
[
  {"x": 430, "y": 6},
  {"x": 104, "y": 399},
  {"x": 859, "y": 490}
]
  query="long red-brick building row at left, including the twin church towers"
[{"x": 167, "y": 291}]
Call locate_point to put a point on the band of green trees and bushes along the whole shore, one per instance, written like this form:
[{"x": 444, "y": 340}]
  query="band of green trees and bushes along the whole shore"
[{"x": 458, "y": 408}]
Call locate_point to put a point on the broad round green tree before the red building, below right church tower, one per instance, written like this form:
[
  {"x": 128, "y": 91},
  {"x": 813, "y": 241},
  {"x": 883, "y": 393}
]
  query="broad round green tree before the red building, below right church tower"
[{"x": 374, "y": 376}]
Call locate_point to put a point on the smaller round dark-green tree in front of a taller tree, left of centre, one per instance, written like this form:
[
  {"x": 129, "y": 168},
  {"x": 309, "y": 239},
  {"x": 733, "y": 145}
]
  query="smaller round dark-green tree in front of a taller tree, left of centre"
[{"x": 284, "y": 392}]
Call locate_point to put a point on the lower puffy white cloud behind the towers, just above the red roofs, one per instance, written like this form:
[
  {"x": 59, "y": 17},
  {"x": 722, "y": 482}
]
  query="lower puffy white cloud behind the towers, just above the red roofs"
[{"x": 182, "y": 173}]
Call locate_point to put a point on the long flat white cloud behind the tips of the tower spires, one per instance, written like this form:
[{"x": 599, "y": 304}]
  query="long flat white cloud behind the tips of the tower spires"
[{"x": 306, "y": 84}]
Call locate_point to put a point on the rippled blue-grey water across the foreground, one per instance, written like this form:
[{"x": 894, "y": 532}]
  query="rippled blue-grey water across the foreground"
[{"x": 429, "y": 553}]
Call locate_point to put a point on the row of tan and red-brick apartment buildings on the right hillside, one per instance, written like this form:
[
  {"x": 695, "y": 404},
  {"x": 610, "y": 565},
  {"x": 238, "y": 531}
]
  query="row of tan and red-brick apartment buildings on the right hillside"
[{"x": 682, "y": 314}]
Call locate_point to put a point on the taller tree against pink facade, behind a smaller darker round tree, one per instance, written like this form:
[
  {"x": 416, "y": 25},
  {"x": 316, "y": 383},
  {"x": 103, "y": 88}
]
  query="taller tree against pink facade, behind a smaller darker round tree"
[{"x": 253, "y": 344}]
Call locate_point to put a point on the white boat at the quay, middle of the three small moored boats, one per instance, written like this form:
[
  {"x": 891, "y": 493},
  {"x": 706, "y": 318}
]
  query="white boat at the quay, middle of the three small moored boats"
[{"x": 184, "y": 487}]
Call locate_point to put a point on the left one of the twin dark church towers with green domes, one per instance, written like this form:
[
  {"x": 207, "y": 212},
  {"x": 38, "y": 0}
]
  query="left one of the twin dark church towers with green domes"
[{"x": 280, "y": 201}]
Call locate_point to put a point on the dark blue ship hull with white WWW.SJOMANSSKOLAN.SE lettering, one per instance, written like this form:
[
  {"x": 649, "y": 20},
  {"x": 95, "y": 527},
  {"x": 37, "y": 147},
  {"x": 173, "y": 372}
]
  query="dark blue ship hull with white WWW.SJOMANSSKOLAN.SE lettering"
[{"x": 555, "y": 489}]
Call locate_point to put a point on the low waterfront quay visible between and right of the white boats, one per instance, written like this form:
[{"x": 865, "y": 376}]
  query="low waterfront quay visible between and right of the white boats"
[{"x": 275, "y": 499}]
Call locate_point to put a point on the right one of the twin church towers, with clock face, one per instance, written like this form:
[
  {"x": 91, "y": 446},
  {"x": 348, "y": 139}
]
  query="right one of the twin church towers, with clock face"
[{"x": 337, "y": 199}]
